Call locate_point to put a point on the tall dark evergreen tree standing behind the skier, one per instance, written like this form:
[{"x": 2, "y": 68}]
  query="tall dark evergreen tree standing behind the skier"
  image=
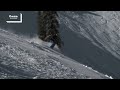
[{"x": 48, "y": 27}]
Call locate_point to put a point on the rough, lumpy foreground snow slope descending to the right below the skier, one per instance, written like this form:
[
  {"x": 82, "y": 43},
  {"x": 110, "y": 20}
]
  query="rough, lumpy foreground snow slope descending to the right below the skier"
[{"x": 23, "y": 59}]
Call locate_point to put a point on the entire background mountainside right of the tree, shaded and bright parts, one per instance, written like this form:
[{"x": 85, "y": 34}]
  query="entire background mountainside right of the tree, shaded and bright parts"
[{"x": 93, "y": 38}]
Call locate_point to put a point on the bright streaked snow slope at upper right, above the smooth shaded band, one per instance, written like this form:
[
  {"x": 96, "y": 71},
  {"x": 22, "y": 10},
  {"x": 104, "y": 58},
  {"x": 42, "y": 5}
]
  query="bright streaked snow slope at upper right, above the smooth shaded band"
[{"x": 101, "y": 27}]
